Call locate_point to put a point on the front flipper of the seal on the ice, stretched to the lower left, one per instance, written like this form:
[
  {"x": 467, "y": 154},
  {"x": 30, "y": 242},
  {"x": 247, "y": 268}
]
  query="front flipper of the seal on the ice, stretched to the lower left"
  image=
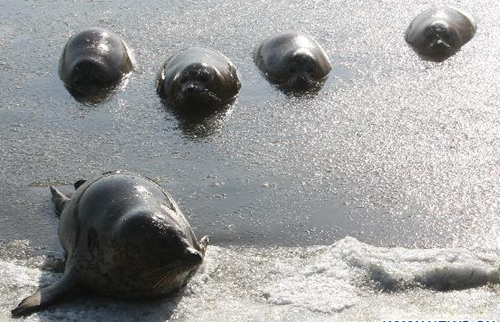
[{"x": 46, "y": 296}]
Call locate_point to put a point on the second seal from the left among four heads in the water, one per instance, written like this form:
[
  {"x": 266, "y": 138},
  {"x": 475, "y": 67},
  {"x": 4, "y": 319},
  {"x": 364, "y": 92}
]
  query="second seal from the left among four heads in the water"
[{"x": 198, "y": 79}]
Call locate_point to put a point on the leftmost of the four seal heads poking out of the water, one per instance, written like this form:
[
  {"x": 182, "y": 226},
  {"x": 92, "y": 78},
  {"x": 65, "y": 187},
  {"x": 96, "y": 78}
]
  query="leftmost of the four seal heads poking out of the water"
[{"x": 93, "y": 59}]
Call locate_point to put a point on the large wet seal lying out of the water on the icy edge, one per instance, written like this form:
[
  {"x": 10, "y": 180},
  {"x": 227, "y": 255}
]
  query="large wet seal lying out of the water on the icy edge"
[{"x": 125, "y": 237}]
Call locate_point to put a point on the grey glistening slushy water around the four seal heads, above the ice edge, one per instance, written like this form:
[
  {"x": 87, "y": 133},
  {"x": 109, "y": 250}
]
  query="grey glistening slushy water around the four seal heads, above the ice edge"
[{"x": 392, "y": 151}]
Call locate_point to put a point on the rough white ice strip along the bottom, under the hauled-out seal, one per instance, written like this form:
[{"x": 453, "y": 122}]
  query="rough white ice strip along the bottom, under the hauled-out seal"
[{"x": 348, "y": 279}]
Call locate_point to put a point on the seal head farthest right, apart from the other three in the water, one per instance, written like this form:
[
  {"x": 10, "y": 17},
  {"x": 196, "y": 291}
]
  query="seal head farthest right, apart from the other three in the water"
[{"x": 438, "y": 33}]
